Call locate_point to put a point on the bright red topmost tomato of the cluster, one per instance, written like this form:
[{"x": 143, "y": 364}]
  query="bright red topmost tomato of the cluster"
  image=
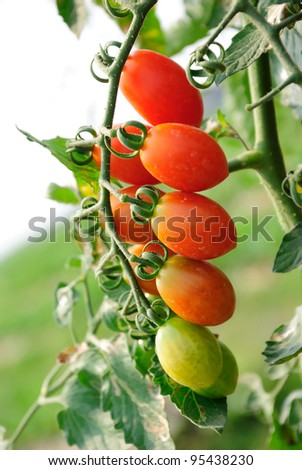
[{"x": 157, "y": 87}]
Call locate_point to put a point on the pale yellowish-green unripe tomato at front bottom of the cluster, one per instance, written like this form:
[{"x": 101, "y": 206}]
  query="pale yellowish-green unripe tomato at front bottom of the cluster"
[{"x": 189, "y": 354}]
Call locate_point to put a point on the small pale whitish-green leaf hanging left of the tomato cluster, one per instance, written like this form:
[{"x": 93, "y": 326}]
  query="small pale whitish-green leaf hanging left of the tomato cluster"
[{"x": 66, "y": 297}]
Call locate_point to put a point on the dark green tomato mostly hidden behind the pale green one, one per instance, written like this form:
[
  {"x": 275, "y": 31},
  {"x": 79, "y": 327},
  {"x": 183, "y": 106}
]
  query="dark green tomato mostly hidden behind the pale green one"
[{"x": 227, "y": 380}]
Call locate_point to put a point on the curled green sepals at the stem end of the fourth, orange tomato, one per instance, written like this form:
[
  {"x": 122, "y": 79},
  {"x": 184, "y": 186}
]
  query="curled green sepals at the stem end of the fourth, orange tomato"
[{"x": 150, "y": 260}]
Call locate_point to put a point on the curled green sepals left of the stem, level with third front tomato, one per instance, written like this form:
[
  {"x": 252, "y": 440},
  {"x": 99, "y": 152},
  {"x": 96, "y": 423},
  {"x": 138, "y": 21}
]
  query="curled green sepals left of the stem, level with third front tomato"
[{"x": 88, "y": 227}]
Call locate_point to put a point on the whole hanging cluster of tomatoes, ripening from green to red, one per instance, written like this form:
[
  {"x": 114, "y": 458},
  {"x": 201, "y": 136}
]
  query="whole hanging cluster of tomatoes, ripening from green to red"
[{"x": 192, "y": 227}]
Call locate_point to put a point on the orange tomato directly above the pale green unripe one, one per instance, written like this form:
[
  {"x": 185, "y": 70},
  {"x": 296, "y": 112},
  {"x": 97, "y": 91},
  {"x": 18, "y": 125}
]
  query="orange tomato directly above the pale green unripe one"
[{"x": 206, "y": 296}]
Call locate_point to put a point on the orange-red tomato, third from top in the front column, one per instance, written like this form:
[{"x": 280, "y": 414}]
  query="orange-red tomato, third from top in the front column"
[{"x": 193, "y": 225}]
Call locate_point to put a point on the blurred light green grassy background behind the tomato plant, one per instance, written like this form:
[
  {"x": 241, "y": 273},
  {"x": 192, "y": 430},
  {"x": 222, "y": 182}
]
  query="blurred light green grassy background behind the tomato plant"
[{"x": 30, "y": 340}]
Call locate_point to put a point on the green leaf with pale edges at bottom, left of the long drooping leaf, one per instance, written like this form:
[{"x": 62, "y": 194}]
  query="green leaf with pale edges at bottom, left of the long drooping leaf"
[{"x": 83, "y": 421}]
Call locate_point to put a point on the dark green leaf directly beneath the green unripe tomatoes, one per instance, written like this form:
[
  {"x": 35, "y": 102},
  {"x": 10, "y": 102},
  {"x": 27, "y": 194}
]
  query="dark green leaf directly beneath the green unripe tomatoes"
[{"x": 203, "y": 412}]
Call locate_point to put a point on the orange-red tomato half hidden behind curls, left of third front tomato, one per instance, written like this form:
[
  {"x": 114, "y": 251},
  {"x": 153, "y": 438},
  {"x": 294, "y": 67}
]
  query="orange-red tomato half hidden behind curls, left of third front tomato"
[{"x": 128, "y": 230}]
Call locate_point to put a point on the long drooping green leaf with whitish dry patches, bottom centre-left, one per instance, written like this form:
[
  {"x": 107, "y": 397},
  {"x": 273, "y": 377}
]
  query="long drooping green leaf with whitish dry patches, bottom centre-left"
[{"x": 135, "y": 406}]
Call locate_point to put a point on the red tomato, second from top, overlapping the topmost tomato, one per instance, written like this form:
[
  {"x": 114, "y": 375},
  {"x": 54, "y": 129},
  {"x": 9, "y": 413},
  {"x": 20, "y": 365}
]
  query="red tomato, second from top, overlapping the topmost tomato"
[{"x": 184, "y": 157}]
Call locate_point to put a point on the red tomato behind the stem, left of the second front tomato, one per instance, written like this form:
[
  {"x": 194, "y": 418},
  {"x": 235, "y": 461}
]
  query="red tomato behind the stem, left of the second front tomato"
[{"x": 129, "y": 170}]
